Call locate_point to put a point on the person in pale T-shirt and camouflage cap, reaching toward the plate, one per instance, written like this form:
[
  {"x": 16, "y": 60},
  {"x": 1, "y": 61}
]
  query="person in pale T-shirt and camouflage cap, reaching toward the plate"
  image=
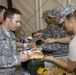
[{"x": 70, "y": 25}]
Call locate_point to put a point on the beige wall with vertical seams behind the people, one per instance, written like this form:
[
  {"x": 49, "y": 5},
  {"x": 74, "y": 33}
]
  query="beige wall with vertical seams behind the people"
[{"x": 32, "y": 12}]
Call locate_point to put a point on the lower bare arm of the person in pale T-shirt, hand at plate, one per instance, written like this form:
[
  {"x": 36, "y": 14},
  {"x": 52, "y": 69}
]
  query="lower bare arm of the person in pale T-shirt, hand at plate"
[{"x": 66, "y": 64}]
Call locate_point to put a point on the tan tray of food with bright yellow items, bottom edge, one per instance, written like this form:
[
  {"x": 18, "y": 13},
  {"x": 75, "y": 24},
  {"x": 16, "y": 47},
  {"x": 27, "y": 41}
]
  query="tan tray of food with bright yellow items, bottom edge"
[{"x": 53, "y": 71}]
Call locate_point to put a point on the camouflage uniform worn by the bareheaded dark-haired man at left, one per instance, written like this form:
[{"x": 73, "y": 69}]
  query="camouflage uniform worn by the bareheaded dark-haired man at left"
[{"x": 9, "y": 57}]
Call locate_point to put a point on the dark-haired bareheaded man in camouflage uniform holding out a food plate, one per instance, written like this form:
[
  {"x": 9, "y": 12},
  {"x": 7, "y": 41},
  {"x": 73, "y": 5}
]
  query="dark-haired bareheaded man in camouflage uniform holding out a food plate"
[{"x": 9, "y": 56}]
